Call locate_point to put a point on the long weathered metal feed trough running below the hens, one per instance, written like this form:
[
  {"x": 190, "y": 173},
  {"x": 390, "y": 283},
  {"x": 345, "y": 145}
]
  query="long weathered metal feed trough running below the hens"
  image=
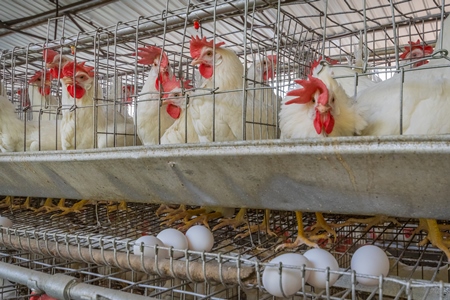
[{"x": 405, "y": 176}]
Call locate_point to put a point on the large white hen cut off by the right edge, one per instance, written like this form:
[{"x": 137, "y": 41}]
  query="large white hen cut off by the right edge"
[{"x": 423, "y": 92}]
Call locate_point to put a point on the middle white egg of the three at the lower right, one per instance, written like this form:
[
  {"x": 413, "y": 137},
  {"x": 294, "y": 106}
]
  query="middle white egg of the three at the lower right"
[{"x": 321, "y": 259}]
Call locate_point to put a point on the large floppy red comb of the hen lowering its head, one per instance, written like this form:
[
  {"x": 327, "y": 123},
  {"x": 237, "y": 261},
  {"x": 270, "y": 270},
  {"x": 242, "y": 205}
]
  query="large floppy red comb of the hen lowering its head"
[{"x": 309, "y": 87}]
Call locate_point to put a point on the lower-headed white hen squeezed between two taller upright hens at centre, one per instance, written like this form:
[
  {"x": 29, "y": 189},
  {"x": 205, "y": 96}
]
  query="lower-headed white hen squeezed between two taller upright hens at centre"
[{"x": 176, "y": 107}]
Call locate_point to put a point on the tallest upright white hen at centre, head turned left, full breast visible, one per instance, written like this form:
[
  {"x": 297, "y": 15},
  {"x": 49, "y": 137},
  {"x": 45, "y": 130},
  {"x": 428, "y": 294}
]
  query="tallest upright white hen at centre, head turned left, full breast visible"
[{"x": 217, "y": 116}]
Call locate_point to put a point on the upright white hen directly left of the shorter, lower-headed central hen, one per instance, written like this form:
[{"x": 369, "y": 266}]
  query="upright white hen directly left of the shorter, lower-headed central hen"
[{"x": 152, "y": 120}]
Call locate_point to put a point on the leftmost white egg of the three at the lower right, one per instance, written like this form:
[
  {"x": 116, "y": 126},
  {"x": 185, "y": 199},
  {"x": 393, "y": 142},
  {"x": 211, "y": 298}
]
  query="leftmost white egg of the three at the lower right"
[{"x": 290, "y": 280}]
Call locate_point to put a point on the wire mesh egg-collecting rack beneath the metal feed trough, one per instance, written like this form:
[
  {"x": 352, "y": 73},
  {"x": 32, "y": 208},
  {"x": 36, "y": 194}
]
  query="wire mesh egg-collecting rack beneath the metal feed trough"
[{"x": 98, "y": 241}]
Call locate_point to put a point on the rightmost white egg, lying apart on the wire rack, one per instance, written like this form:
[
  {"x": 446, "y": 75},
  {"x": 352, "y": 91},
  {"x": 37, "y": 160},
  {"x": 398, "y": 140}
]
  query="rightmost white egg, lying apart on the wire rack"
[{"x": 370, "y": 260}]
